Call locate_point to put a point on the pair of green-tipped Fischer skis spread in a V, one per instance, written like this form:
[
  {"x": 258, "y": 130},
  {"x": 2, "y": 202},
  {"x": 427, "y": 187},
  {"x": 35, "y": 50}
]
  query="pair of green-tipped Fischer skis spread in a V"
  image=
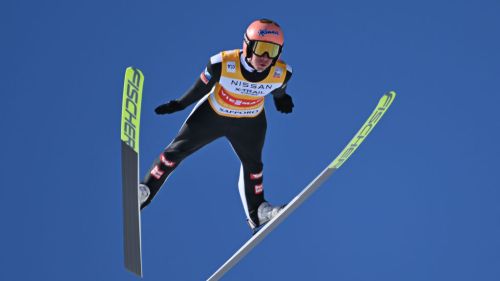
[{"x": 132, "y": 95}]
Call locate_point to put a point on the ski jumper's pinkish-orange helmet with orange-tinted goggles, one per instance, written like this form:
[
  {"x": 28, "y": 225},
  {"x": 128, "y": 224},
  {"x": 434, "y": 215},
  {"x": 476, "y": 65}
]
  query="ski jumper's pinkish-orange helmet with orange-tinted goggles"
[{"x": 269, "y": 33}]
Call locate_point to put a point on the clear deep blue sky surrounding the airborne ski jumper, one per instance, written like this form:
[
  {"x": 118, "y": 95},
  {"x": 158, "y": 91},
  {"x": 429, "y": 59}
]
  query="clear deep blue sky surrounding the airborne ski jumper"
[{"x": 418, "y": 201}]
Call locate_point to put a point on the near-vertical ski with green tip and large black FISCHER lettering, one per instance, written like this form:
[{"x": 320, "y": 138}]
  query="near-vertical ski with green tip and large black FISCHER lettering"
[{"x": 131, "y": 112}]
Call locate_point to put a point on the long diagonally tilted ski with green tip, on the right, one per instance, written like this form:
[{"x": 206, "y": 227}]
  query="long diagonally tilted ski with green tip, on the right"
[{"x": 382, "y": 106}]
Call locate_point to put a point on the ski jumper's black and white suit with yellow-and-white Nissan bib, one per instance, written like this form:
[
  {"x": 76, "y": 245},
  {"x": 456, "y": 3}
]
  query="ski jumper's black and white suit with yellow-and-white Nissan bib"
[{"x": 230, "y": 103}]
